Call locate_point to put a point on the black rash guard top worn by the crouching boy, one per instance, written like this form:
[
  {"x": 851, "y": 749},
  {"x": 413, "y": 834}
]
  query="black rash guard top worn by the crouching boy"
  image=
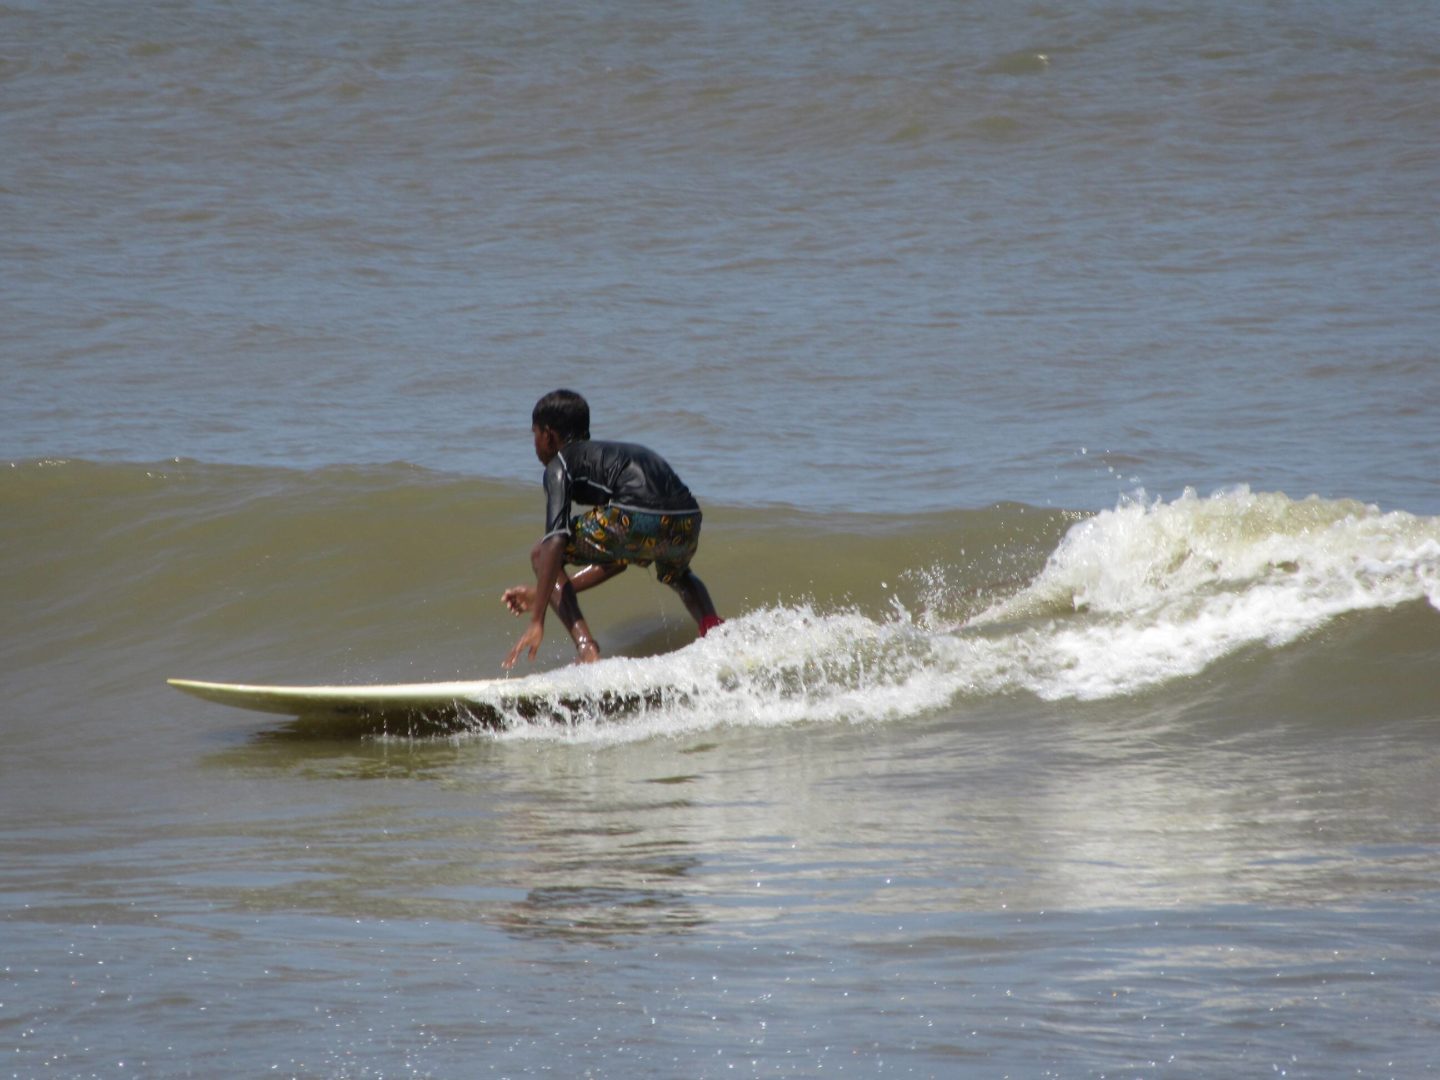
[{"x": 618, "y": 474}]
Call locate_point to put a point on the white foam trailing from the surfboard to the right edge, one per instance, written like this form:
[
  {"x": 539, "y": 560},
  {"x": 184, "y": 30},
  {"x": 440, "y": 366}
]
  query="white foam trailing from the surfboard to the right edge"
[{"x": 1133, "y": 598}]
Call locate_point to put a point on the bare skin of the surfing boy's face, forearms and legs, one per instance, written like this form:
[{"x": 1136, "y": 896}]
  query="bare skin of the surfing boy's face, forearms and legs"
[{"x": 552, "y": 581}]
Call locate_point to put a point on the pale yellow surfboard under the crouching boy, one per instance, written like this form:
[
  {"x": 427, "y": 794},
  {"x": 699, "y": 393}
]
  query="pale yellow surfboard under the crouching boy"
[{"x": 493, "y": 703}]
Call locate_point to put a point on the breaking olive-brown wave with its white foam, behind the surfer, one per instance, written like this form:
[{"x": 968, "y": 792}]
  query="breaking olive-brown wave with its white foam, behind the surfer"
[{"x": 392, "y": 574}]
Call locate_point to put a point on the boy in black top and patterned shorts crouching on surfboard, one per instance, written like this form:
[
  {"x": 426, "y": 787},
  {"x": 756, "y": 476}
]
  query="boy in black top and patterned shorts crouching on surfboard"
[{"x": 642, "y": 515}]
